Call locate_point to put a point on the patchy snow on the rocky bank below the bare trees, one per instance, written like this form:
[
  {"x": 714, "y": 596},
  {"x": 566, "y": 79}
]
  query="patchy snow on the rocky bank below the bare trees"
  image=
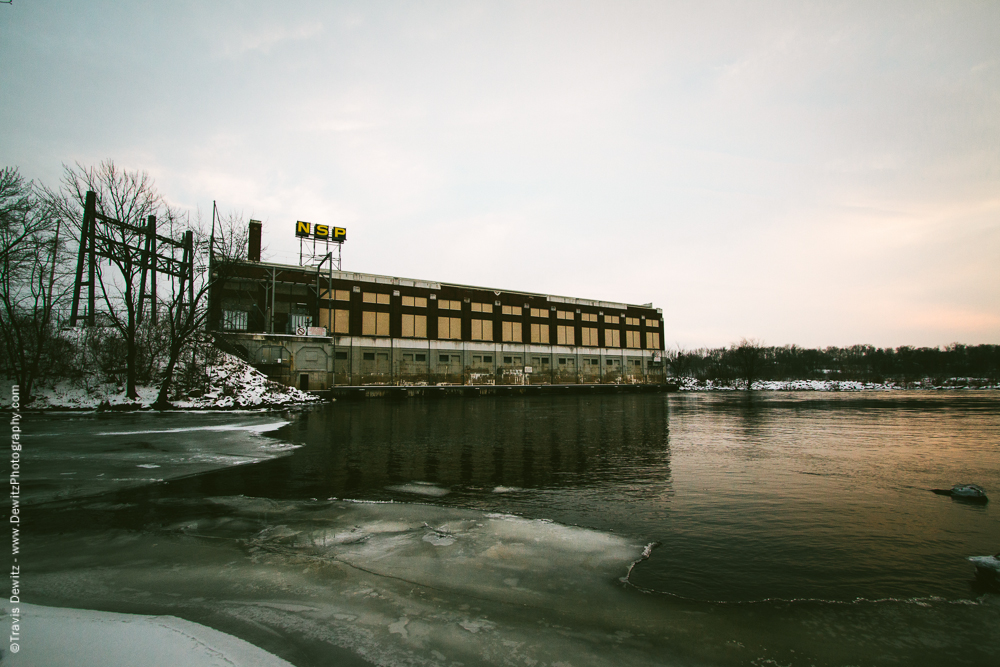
[{"x": 232, "y": 383}]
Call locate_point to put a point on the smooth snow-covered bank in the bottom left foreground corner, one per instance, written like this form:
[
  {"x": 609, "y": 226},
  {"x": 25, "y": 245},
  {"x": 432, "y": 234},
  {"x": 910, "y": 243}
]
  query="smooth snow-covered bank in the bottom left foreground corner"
[{"x": 58, "y": 637}]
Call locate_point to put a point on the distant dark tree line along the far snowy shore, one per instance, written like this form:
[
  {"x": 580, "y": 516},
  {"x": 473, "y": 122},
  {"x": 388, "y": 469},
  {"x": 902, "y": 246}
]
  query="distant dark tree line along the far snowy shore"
[{"x": 749, "y": 360}]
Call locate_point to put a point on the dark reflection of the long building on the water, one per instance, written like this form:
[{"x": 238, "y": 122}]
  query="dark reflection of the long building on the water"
[{"x": 358, "y": 449}]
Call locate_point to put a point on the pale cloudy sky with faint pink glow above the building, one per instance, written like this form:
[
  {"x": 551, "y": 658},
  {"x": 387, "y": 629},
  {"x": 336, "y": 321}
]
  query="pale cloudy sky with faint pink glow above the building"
[{"x": 800, "y": 173}]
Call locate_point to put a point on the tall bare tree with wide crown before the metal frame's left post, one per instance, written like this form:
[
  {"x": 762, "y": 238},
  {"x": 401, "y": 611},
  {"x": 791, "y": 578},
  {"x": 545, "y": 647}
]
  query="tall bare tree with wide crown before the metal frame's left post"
[{"x": 129, "y": 197}]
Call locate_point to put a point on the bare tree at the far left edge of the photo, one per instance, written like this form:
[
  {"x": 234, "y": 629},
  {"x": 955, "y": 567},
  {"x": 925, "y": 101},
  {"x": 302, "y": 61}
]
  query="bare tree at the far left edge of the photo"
[{"x": 31, "y": 280}]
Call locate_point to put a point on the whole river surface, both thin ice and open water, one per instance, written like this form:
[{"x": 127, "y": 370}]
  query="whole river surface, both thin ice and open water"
[{"x": 696, "y": 528}]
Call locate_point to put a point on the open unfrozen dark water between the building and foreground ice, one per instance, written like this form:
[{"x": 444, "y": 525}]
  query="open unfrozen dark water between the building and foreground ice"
[{"x": 749, "y": 497}]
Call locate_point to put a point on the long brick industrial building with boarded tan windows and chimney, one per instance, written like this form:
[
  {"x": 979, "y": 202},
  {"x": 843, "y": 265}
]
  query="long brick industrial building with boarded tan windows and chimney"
[{"x": 317, "y": 328}]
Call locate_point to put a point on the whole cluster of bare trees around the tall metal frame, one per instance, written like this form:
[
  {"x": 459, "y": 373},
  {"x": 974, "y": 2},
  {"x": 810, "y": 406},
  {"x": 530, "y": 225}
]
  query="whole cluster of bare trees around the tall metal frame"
[{"x": 136, "y": 340}]
